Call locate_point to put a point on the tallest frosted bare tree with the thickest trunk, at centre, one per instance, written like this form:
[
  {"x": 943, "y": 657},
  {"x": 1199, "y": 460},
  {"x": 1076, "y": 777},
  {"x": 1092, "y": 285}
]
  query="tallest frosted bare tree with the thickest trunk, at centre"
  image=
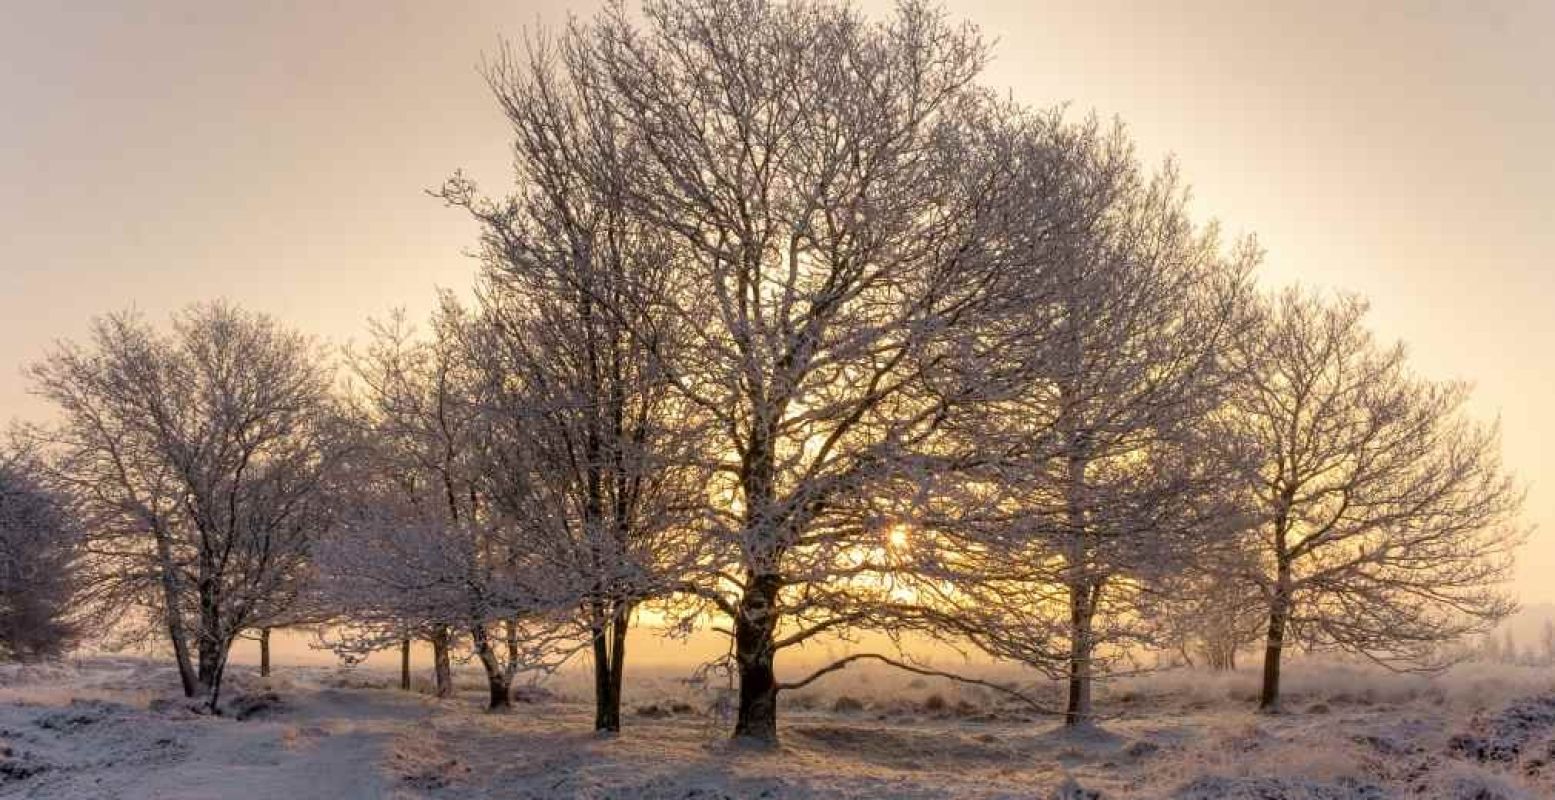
[{"x": 816, "y": 183}]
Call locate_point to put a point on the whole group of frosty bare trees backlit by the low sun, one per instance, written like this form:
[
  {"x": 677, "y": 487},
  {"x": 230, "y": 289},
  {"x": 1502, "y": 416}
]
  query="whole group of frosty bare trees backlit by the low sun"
[{"x": 794, "y": 329}]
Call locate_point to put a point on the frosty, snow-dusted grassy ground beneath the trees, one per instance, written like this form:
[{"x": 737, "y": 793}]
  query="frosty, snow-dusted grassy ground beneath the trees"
[{"x": 114, "y": 728}]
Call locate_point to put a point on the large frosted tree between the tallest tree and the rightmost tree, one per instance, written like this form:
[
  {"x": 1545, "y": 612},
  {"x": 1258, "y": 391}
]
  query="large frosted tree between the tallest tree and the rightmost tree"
[{"x": 1099, "y": 489}]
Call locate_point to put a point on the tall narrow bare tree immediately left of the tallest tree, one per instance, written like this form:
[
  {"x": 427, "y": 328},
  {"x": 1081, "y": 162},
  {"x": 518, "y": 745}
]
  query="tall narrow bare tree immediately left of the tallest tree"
[{"x": 595, "y": 454}]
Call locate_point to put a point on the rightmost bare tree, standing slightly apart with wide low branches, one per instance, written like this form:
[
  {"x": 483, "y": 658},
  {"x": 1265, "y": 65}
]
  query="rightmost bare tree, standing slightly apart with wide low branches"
[{"x": 1386, "y": 518}]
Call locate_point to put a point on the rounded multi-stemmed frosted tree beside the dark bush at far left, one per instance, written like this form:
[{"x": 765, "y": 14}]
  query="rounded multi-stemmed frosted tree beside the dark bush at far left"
[{"x": 197, "y": 457}]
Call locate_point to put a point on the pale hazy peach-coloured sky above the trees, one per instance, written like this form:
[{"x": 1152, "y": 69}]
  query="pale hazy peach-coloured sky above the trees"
[{"x": 276, "y": 153}]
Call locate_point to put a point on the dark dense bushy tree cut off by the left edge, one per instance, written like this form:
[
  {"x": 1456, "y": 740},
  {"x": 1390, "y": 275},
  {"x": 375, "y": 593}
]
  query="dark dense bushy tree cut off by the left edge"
[{"x": 40, "y": 556}]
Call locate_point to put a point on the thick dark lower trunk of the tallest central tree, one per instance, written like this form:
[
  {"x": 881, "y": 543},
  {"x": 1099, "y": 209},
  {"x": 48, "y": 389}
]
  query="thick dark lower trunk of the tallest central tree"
[{"x": 755, "y": 634}]
